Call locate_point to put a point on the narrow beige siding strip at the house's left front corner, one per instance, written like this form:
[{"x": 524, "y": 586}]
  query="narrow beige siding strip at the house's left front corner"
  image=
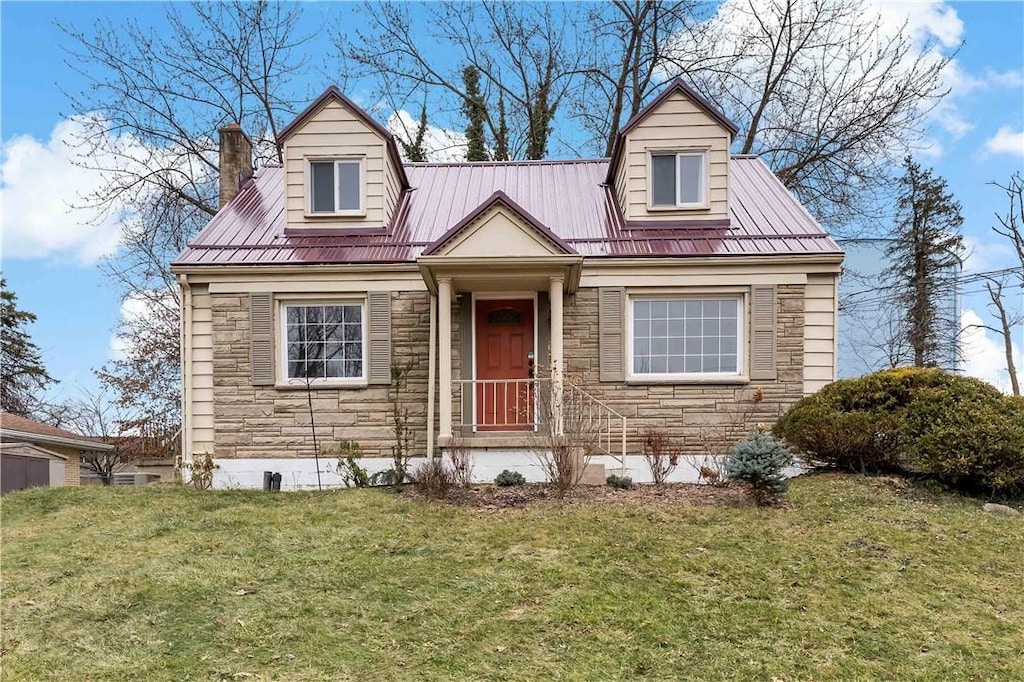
[{"x": 200, "y": 375}]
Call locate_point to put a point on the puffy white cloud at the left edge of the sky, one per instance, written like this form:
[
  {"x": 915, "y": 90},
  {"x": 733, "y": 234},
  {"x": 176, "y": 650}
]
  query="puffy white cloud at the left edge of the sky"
[{"x": 40, "y": 188}]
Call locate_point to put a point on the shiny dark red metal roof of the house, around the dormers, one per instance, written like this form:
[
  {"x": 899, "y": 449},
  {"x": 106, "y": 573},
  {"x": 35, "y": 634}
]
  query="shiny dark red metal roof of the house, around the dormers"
[{"x": 568, "y": 198}]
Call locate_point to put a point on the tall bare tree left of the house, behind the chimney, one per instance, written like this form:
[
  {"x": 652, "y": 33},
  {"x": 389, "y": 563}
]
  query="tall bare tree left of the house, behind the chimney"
[{"x": 152, "y": 105}]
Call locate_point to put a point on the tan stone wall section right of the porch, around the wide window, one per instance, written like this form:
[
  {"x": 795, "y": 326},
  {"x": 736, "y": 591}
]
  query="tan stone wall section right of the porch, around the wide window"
[{"x": 697, "y": 414}]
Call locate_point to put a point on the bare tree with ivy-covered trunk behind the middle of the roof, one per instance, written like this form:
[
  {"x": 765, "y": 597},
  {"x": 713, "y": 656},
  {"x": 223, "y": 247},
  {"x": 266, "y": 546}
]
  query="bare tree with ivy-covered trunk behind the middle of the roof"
[{"x": 521, "y": 52}]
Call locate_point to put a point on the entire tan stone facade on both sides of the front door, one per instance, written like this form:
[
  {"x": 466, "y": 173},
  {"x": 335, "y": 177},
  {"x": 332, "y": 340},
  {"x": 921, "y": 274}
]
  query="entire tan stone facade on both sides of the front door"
[{"x": 267, "y": 422}]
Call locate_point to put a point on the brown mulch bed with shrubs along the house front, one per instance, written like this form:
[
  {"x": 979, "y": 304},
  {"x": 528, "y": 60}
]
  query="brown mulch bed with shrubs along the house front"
[{"x": 490, "y": 497}]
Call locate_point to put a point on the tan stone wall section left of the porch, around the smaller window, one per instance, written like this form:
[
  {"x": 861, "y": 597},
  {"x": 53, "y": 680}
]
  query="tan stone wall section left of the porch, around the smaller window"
[{"x": 268, "y": 422}]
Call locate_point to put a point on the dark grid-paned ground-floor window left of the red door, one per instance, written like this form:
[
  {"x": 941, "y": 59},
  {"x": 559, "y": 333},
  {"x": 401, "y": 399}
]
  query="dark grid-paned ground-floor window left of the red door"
[{"x": 325, "y": 342}]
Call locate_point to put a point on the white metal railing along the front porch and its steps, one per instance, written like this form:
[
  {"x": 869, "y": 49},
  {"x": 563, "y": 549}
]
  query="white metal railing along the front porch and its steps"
[{"x": 518, "y": 405}]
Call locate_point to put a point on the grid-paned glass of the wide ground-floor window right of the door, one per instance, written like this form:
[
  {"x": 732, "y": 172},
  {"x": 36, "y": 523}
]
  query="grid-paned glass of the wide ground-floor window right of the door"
[{"x": 685, "y": 336}]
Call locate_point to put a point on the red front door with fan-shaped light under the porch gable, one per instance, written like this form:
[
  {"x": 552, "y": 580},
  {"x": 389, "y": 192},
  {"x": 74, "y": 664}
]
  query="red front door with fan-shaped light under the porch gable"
[{"x": 504, "y": 346}]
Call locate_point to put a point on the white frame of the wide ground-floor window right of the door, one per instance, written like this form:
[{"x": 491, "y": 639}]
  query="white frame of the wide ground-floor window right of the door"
[{"x": 740, "y": 376}]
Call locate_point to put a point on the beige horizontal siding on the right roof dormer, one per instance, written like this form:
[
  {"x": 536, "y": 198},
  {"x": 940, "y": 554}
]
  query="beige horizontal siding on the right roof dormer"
[{"x": 677, "y": 125}]
